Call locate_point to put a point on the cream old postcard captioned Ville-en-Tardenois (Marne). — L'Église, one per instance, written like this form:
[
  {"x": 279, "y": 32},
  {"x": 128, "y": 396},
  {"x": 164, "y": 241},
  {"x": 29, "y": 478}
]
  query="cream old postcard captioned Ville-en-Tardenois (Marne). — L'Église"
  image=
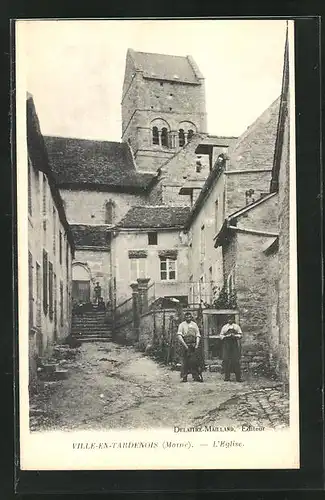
[{"x": 157, "y": 259}]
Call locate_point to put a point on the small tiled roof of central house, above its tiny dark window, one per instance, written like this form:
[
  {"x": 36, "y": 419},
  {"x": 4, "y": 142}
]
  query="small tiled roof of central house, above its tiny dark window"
[{"x": 153, "y": 216}]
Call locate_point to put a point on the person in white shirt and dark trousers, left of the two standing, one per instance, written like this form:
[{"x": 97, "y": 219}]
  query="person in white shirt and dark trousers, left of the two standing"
[{"x": 189, "y": 337}]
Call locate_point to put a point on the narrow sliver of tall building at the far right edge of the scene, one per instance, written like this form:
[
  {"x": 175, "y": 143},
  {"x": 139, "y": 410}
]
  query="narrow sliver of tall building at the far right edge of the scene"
[{"x": 279, "y": 252}]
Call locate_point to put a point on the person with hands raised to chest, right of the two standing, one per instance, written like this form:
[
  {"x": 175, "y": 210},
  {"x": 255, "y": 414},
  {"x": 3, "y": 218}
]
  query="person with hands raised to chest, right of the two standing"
[{"x": 231, "y": 349}]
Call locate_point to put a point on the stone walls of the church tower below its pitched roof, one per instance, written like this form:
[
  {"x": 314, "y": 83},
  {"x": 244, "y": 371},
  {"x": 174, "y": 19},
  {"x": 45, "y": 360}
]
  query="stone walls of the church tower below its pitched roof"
[{"x": 144, "y": 100}]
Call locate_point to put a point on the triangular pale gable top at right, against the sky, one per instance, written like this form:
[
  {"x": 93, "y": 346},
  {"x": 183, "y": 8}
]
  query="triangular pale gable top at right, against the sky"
[{"x": 255, "y": 147}]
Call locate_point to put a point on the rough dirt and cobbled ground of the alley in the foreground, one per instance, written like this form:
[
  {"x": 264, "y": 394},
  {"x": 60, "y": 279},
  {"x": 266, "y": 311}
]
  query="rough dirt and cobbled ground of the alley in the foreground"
[{"x": 112, "y": 386}]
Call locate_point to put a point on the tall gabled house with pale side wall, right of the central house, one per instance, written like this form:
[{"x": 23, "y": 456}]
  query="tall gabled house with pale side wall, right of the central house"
[{"x": 240, "y": 177}]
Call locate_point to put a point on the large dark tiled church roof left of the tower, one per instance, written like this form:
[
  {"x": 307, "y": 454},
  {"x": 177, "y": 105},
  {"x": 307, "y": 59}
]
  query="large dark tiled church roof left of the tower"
[{"x": 99, "y": 163}]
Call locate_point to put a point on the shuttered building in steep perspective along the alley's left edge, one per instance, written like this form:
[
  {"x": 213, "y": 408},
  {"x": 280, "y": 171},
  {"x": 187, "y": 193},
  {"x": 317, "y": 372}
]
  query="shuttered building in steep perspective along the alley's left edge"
[{"x": 50, "y": 250}]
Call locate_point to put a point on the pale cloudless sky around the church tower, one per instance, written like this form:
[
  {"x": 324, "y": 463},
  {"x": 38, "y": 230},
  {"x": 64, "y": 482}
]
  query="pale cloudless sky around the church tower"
[{"x": 75, "y": 69}]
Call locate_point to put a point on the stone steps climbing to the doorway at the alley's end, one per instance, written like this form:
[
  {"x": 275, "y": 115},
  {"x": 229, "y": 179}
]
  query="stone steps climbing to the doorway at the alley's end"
[{"x": 91, "y": 326}]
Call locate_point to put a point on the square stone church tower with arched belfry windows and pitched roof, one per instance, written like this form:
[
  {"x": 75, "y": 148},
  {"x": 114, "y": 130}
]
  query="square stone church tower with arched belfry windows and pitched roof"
[{"x": 163, "y": 106}]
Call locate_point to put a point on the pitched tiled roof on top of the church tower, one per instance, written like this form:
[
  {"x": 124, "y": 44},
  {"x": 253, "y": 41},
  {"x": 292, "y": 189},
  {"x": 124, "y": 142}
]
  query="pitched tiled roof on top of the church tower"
[{"x": 165, "y": 67}]
